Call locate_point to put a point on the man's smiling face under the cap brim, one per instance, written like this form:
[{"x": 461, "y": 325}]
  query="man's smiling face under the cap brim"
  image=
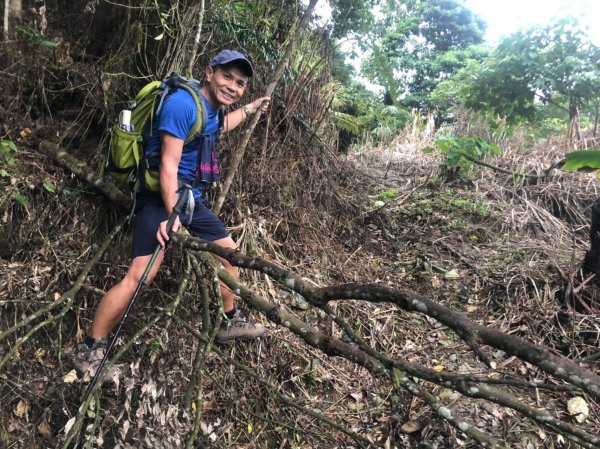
[{"x": 226, "y": 84}]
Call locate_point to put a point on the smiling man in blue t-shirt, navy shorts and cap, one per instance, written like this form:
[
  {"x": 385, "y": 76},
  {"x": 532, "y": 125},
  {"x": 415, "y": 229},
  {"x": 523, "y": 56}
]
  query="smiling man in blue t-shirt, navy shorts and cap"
[{"x": 227, "y": 77}]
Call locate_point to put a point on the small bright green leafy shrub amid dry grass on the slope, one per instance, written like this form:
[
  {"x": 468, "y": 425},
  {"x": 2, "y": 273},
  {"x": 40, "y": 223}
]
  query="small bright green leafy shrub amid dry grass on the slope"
[{"x": 454, "y": 150}]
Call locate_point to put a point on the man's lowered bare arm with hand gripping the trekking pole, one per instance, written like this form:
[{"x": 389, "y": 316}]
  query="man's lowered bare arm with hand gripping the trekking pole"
[{"x": 172, "y": 148}]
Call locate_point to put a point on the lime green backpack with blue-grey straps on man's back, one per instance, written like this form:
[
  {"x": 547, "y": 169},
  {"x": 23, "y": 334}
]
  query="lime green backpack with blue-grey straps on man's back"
[{"x": 126, "y": 157}]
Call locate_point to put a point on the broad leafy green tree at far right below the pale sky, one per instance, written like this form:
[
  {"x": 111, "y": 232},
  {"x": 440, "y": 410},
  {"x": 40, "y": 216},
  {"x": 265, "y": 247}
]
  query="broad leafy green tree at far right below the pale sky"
[{"x": 557, "y": 64}]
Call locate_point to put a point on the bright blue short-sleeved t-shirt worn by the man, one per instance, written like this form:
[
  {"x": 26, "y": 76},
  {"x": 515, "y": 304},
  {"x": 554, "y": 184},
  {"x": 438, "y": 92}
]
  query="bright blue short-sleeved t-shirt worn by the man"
[{"x": 177, "y": 117}]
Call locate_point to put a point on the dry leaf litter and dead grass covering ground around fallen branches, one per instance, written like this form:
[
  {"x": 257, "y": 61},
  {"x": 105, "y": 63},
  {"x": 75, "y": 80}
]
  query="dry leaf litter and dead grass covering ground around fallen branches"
[{"x": 500, "y": 250}]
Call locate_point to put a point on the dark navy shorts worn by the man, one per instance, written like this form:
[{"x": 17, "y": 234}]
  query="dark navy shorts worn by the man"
[{"x": 150, "y": 212}]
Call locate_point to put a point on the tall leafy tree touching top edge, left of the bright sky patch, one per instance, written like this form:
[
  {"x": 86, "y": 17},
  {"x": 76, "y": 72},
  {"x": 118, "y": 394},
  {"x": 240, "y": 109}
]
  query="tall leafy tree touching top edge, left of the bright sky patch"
[{"x": 416, "y": 44}]
